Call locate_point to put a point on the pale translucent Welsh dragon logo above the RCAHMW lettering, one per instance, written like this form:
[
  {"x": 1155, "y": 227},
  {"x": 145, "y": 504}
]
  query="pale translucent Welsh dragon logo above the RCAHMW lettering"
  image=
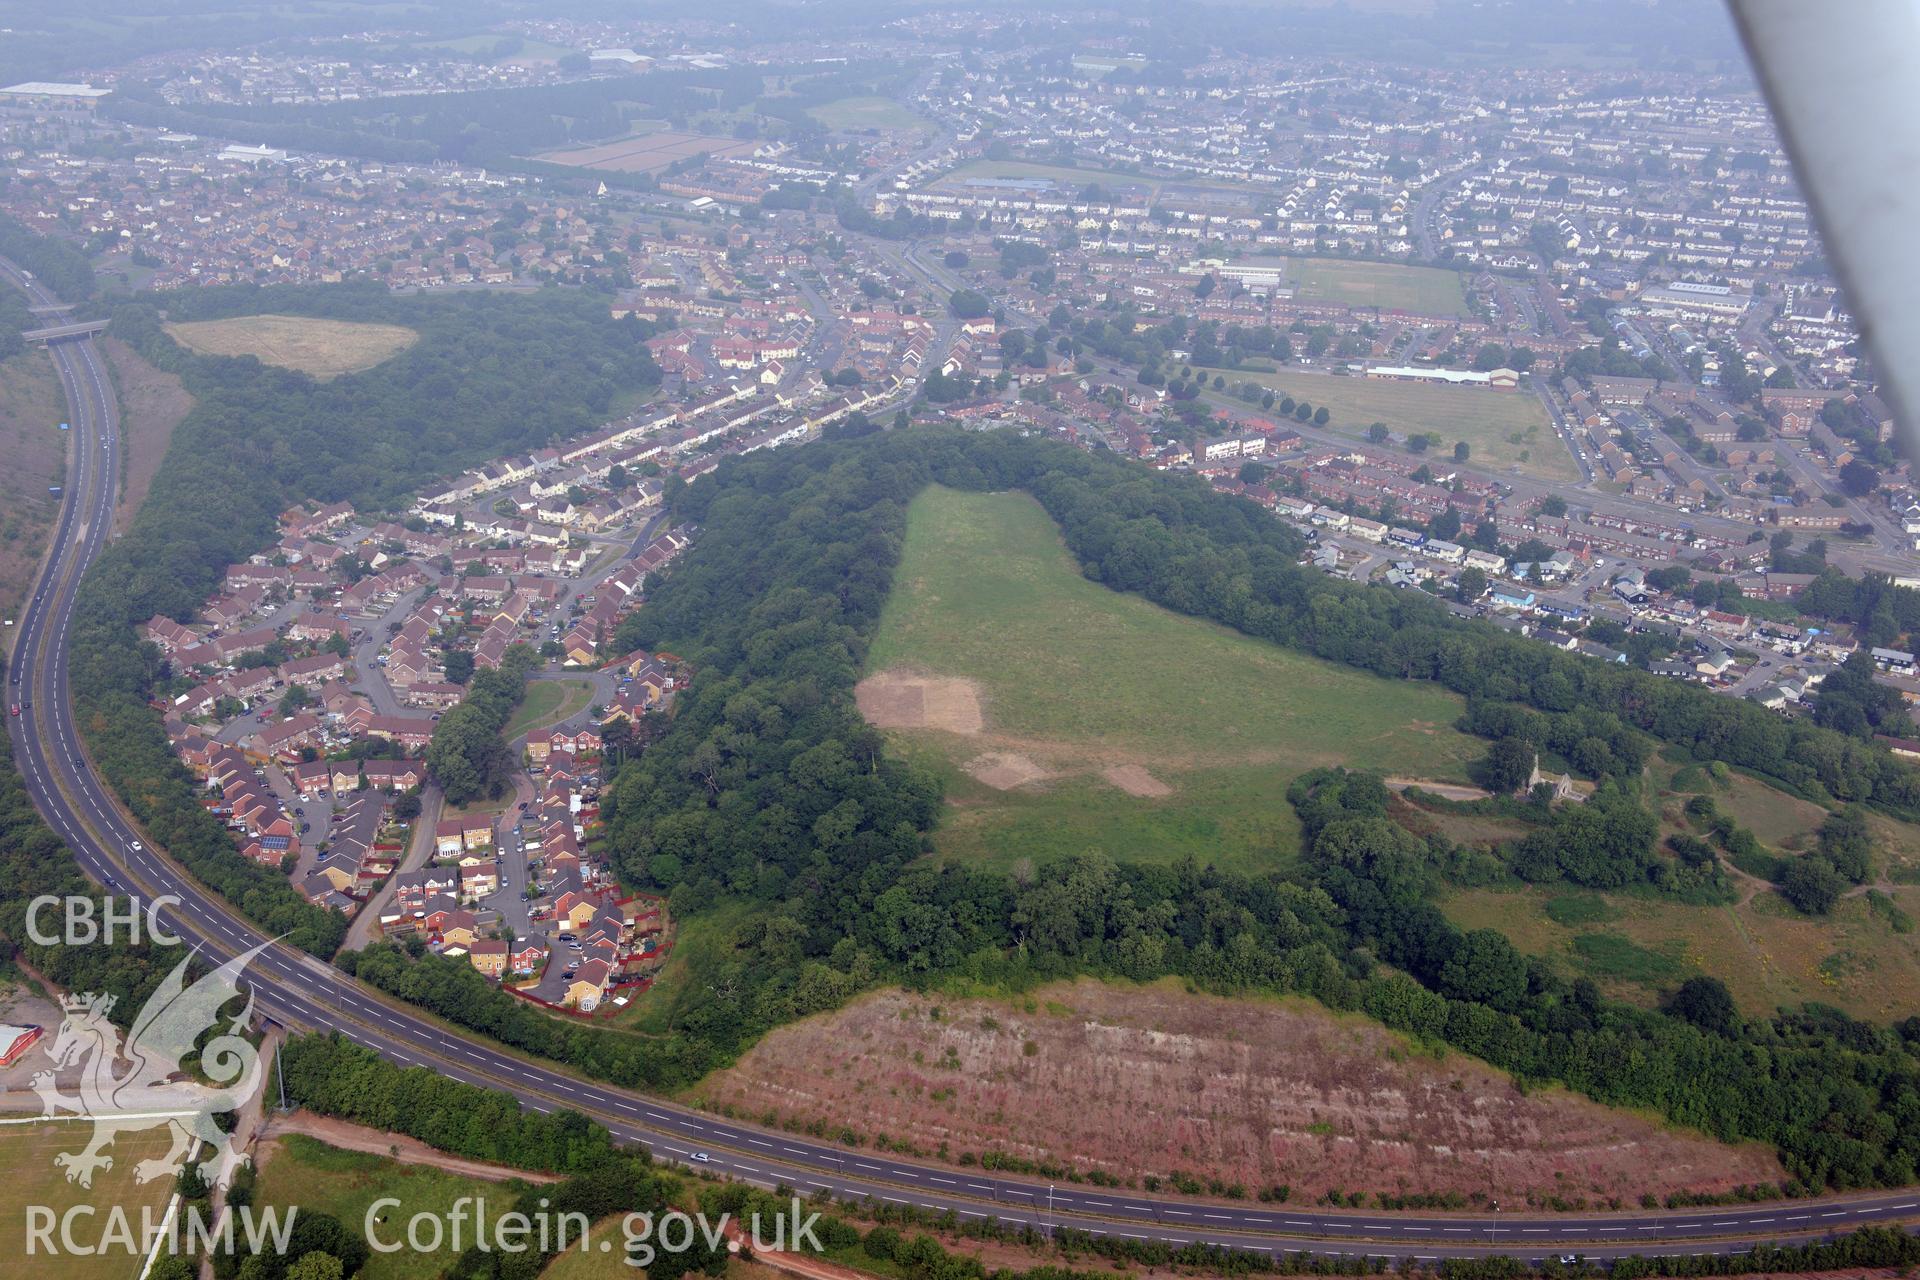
[{"x": 151, "y": 1093}]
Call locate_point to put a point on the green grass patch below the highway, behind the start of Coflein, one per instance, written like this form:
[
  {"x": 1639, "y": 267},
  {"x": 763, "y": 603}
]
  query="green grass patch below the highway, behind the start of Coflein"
[{"x": 324, "y": 1179}]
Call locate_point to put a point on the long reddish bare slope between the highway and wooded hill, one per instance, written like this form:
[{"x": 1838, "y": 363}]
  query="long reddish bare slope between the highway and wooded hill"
[{"x": 1141, "y": 1081}]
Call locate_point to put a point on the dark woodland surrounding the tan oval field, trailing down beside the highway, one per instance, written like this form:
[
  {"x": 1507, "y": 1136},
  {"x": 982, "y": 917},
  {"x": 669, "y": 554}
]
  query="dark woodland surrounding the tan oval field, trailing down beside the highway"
[{"x": 489, "y": 375}]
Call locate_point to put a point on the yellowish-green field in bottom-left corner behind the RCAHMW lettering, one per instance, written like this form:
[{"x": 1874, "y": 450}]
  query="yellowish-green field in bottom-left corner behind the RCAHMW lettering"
[{"x": 32, "y": 1179}]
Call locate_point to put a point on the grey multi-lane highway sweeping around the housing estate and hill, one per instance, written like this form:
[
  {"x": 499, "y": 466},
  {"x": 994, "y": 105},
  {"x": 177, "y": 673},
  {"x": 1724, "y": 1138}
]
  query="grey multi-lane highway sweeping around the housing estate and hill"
[{"x": 300, "y": 991}]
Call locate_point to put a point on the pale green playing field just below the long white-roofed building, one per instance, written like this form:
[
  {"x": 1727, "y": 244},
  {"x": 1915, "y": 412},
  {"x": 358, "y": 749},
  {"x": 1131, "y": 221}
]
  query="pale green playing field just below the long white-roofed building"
[{"x": 1502, "y": 429}]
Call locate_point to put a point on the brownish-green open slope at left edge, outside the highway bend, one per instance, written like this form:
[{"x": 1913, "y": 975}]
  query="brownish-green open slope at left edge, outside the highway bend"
[{"x": 34, "y": 446}]
